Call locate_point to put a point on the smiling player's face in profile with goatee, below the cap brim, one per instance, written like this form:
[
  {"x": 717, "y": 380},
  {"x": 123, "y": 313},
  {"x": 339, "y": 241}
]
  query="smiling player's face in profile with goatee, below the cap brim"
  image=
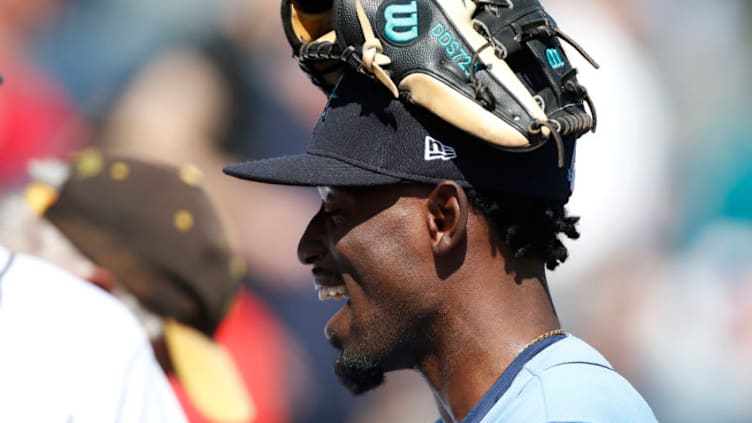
[{"x": 370, "y": 246}]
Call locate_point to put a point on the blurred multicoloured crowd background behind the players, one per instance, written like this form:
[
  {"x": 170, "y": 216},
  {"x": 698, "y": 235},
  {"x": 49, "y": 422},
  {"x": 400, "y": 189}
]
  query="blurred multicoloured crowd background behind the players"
[{"x": 660, "y": 282}]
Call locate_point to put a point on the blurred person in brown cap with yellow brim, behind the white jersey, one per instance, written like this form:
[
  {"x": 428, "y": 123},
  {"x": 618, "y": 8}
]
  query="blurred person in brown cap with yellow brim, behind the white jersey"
[{"x": 159, "y": 248}]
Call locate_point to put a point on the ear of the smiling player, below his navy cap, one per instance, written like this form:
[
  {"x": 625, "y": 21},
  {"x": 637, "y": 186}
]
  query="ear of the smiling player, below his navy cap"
[{"x": 447, "y": 216}]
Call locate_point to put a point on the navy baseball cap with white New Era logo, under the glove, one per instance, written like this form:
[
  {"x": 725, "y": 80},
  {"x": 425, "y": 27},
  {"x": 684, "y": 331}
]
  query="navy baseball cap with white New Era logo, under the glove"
[{"x": 366, "y": 137}]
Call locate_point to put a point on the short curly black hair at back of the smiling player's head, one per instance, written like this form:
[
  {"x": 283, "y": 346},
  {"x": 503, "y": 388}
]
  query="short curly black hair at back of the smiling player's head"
[{"x": 530, "y": 227}]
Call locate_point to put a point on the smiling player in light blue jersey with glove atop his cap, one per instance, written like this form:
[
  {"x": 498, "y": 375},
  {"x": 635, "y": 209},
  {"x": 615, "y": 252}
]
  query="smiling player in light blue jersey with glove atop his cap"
[{"x": 444, "y": 159}]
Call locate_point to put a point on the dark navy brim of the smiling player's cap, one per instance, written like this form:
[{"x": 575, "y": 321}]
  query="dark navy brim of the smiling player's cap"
[{"x": 308, "y": 170}]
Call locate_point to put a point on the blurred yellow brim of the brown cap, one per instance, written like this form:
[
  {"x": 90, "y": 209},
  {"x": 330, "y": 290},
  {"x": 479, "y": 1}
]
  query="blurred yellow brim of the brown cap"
[{"x": 208, "y": 374}]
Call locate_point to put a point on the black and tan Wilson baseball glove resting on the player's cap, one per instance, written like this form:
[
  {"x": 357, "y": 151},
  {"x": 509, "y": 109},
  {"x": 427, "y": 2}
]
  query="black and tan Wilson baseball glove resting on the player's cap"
[{"x": 494, "y": 68}]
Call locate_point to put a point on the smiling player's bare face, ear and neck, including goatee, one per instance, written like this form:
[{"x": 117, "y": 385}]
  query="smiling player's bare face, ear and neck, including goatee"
[{"x": 429, "y": 288}]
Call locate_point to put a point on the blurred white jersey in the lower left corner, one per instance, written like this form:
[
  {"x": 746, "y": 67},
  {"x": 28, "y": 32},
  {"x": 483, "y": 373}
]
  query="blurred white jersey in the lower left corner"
[{"x": 71, "y": 353}]
